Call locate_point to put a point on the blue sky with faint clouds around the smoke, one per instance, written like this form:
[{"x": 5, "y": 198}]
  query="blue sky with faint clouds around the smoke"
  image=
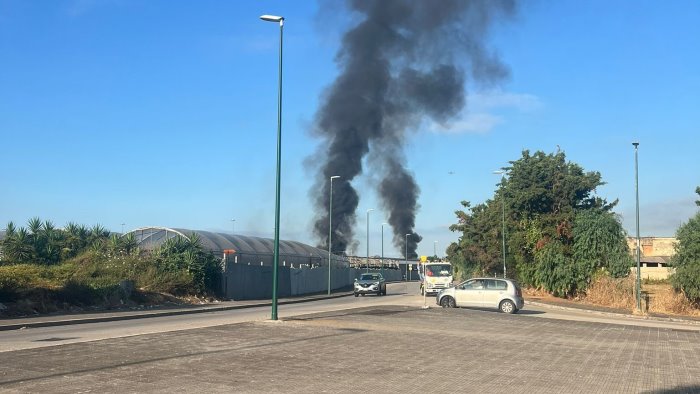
[{"x": 162, "y": 113}]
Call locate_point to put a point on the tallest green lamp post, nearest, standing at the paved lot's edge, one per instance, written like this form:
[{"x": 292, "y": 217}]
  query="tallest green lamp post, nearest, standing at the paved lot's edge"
[{"x": 275, "y": 262}]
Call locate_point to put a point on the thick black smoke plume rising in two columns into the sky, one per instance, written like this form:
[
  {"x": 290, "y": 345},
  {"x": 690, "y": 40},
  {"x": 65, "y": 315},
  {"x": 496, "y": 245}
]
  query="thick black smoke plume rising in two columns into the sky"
[{"x": 404, "y": 61}]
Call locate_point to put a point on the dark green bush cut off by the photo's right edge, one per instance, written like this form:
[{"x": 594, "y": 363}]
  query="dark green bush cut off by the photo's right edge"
[{"x": 687, "y": 260}]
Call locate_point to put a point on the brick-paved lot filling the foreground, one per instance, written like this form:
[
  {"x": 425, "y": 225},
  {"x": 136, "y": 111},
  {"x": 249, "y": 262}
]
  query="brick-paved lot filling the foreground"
[{"x": 387, "y": 349}]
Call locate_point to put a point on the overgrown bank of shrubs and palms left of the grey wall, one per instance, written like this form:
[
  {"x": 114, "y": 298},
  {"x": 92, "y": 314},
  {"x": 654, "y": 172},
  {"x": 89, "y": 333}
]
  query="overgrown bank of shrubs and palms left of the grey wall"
[{"x": 45, "y": 269}]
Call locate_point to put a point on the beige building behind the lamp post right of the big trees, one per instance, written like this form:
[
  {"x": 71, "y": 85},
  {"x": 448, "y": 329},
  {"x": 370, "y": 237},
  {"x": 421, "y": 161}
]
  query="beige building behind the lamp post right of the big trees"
[{"x": 655, "y": 256}]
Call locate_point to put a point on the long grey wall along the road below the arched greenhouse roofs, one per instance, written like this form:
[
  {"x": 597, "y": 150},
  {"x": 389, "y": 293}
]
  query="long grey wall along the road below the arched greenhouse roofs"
[{"x": 254, "y": 282}]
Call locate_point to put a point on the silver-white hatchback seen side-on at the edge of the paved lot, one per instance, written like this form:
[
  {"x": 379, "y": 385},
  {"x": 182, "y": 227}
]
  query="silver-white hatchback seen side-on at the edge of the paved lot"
[{"x": 503, "y": 294}]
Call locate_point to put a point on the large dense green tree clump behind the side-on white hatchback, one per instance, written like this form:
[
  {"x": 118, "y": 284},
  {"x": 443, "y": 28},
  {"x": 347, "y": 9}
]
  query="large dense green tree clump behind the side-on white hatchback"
[{"x": 558, "y": 232}]
